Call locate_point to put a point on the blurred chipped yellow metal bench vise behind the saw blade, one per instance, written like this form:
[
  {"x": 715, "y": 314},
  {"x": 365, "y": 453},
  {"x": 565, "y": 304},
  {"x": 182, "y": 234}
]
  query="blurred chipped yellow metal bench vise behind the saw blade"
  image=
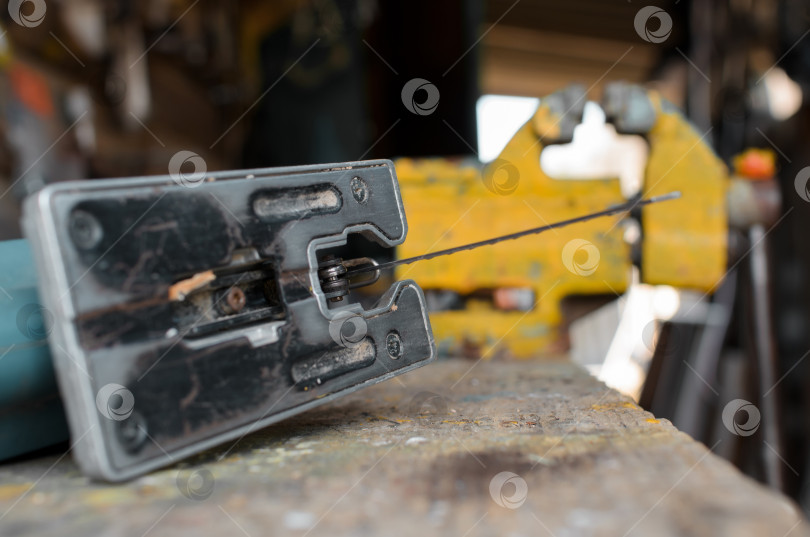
[{"x": 448, "y": 203}]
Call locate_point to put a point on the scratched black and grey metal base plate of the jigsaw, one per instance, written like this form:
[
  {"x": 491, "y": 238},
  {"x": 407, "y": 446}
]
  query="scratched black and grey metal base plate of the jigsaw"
[{"x": 186, "y": 314}]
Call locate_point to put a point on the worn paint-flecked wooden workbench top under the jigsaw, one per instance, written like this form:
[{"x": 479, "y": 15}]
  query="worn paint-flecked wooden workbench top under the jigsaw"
[{"x": 418, "y": 456}]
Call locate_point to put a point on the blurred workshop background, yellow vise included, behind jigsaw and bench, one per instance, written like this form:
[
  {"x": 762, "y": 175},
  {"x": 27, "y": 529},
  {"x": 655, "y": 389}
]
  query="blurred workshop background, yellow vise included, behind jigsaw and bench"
[{"x": 700, "y": 312}]
